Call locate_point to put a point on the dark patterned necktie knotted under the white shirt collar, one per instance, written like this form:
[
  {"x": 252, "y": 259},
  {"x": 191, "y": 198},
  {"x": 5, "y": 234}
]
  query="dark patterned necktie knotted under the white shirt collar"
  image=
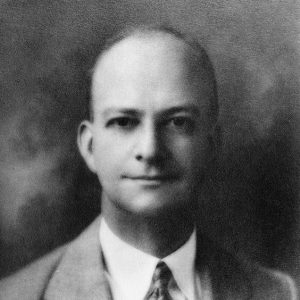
[{"x": 163, "y": 284}]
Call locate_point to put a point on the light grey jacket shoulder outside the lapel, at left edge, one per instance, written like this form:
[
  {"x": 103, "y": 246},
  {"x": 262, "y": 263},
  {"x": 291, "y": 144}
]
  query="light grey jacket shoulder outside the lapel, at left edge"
[{"x": 30, "y": 282}]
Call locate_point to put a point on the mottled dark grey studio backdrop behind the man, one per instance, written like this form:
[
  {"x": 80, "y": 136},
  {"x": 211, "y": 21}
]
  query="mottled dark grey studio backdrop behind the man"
[{"x": 250, "y": 203}]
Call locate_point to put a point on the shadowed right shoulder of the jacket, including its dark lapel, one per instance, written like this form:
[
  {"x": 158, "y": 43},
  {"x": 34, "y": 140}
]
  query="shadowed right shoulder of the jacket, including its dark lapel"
[{"x": 234, "y": 277}]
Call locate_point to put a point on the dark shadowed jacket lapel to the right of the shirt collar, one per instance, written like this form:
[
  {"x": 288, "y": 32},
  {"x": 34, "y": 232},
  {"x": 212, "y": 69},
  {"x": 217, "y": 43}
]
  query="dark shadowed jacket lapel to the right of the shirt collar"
[{"x": 228, "y": 279}]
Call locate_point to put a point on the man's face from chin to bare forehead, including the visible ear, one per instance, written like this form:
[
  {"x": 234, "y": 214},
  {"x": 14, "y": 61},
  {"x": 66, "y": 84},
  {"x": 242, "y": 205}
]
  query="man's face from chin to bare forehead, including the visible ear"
[{"x": 148, "y": 141}]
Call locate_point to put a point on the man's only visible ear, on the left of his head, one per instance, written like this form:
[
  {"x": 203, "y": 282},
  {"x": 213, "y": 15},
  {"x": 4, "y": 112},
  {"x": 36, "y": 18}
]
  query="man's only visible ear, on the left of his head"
[{"x": 85, "y": 144}]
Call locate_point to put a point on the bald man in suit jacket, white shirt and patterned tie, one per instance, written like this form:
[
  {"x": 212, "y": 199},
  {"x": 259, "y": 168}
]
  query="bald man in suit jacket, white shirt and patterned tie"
[{"x": 149, "y": 139}]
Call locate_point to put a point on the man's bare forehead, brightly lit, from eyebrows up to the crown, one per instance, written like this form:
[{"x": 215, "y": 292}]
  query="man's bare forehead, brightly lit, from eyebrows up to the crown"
[{"x": 144, "y": 64}]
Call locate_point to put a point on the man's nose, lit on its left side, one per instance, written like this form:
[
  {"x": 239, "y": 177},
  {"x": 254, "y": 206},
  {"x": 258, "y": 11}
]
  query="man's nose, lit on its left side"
[{"x": 149, "y": 147}]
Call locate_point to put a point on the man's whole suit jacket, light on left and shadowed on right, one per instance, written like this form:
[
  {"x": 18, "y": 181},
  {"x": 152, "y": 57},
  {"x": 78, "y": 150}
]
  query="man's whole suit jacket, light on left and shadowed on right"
[{"x": 75, "y": 271}]
